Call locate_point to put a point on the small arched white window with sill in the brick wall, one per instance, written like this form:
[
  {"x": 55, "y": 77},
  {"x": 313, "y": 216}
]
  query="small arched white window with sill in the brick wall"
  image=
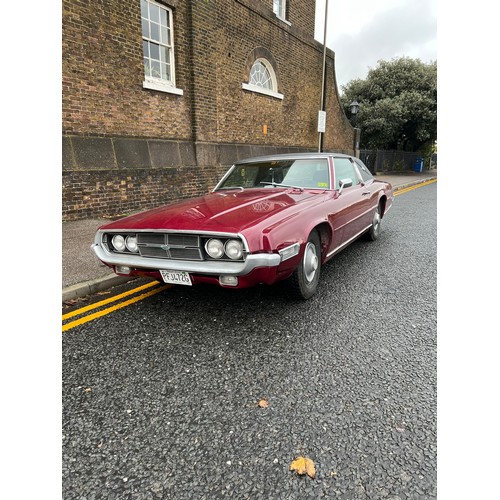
[{"x": 262, "y": 77}]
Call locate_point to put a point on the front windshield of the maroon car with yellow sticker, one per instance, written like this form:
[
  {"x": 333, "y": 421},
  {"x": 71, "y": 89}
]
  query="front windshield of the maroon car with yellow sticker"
[{"x": 303, "y": 173}]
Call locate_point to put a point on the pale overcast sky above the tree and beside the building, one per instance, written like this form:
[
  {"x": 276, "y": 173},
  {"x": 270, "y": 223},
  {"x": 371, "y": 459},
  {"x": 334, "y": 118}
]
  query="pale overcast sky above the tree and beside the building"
[{"x": 364, "y": 31}]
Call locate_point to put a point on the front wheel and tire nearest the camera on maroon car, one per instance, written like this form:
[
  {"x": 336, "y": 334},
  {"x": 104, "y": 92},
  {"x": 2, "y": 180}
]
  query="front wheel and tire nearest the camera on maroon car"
[{"x": 303, "y": 283}]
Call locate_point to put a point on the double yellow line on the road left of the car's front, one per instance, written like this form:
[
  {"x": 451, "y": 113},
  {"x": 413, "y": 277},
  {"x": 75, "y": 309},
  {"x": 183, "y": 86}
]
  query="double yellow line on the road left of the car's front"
[{"x": 102, "y": 312}]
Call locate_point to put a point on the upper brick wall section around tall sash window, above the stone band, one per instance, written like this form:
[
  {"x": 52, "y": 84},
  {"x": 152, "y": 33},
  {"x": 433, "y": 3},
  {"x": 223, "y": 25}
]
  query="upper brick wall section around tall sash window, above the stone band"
[{"x": 103, "y": 72}]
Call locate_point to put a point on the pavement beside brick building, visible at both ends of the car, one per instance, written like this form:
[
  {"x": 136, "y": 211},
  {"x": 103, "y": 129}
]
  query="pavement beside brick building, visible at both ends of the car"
[{"x": 83, "y": 274}]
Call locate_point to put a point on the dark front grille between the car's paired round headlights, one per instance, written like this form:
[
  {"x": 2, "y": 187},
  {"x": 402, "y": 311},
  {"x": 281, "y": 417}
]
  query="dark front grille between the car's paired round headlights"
[{"x": 169, "y": 246}]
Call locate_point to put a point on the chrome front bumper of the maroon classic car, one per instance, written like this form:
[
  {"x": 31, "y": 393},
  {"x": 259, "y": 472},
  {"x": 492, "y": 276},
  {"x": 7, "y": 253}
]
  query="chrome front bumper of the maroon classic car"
[{"x": 204, "y": 267}]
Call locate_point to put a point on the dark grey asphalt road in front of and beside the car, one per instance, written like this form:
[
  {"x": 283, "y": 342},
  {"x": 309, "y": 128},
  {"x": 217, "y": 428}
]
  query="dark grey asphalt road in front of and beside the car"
[{"x": 160, "y": 398}]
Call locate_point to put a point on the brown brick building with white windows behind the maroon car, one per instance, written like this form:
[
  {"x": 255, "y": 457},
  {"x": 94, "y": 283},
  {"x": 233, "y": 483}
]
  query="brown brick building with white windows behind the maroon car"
[{"x": 160, "y": 97}]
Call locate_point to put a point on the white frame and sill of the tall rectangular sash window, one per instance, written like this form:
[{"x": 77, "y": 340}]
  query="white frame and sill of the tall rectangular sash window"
[{"x": 151, "y": 82}]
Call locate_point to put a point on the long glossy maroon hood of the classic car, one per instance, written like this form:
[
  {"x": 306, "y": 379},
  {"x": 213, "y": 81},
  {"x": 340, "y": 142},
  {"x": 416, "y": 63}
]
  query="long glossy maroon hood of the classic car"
[{"x": 221, "y": 211}]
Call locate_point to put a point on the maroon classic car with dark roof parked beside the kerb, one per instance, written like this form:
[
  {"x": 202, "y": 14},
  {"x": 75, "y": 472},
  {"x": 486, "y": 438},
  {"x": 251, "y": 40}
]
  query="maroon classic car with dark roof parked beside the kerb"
[{"x": 269, "y": 219}]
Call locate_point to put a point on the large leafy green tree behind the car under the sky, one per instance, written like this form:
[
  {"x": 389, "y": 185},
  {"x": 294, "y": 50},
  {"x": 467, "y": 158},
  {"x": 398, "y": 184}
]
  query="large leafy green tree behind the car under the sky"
[{"x": 398, "y": 105}]
